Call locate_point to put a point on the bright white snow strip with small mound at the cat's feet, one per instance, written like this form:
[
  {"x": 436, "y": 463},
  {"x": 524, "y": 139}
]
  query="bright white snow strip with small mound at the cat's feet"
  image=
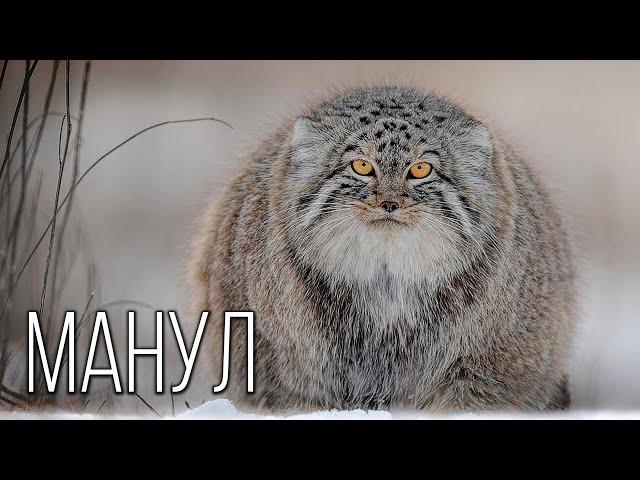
[{"x": 224, "y": 409}]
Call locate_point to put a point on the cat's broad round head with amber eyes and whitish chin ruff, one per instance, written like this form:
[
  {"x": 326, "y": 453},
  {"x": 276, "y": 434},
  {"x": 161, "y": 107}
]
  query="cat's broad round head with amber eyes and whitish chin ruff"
[{"x": 389, "y": 181}]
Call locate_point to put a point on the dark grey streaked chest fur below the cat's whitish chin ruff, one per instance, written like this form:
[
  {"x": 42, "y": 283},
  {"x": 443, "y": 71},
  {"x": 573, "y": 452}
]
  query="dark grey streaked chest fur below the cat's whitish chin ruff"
[{"x": 377, "y": 342}]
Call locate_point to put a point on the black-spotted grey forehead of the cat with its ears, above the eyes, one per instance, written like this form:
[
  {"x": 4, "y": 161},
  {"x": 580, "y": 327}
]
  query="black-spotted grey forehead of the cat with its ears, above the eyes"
[{"x": 394, "y": 127}]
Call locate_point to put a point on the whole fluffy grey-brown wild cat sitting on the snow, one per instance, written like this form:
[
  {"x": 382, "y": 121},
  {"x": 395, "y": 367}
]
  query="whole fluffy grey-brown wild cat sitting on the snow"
[{"x": 458, "y": 296}]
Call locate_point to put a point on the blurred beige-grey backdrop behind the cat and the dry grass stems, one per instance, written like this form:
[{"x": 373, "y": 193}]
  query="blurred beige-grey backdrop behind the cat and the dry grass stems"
[{"x": 578, "y": 123}]
